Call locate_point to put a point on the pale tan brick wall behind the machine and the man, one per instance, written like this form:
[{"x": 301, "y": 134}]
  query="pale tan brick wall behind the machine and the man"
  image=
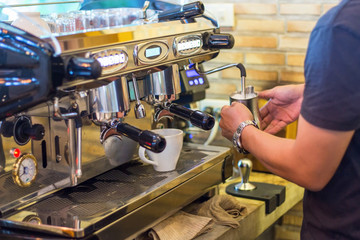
[{"x": 271, "y": 38}]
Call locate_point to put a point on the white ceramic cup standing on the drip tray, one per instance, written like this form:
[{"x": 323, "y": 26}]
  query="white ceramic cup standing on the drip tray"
[{"x": 166, "y": 160}]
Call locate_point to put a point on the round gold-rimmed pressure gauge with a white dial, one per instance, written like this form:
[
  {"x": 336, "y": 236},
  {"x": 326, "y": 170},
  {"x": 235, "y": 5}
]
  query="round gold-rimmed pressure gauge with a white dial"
[{"x": 25, "y": 170}]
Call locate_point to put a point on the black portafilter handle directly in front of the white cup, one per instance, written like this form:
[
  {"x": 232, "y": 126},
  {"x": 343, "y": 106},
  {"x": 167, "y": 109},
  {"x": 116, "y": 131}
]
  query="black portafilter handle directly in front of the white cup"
[{"x": 147, "y": 139}]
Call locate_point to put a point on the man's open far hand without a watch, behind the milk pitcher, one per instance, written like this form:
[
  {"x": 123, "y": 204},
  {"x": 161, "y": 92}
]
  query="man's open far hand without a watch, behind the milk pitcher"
[{"x": 282, "y": 108}]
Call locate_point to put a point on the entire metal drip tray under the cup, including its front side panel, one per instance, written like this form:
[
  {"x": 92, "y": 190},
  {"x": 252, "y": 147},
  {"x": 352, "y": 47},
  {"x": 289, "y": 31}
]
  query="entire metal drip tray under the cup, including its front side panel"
[{"x": 115, "y": 195}]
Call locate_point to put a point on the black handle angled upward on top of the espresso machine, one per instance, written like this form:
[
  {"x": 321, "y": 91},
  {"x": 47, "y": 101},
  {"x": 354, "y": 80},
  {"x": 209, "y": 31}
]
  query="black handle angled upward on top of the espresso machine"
[{"x": 190, "y": 10}]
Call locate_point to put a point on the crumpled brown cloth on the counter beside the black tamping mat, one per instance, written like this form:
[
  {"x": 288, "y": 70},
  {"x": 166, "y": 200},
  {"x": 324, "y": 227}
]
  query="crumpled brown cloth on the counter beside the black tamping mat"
[{"x": 223, "y": 209}]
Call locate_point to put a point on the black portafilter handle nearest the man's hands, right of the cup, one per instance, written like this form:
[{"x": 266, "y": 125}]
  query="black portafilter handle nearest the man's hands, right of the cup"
[{"x": 197, "y": 118}]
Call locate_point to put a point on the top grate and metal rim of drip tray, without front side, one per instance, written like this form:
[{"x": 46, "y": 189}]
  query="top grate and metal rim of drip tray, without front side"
[{"x": 95, "y": 203}]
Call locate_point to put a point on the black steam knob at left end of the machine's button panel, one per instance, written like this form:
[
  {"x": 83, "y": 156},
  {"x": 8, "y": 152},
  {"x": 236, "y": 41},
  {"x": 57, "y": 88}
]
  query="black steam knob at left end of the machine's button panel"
[{"x": 87, "y": 68}]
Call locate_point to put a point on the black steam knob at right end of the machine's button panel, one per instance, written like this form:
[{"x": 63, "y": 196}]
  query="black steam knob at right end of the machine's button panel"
[{"x": 218, "y": 41}]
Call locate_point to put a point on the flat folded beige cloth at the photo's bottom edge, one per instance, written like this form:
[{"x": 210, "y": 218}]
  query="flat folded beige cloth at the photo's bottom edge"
[{"x": 181, "y": 226}]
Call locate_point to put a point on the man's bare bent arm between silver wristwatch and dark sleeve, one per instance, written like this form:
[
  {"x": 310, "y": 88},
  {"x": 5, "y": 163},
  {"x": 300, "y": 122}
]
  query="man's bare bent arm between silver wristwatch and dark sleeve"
[{"x": 309, "y": 161}]
